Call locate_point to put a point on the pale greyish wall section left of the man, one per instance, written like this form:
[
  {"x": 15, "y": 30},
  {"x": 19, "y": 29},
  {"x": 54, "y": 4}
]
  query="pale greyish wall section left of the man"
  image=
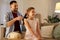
[{"x": 4, "y": 7}]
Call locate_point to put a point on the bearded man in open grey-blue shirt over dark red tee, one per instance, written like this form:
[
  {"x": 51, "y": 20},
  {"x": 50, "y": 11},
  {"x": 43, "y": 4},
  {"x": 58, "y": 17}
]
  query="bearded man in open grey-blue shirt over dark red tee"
[{"x": 13, "y": 19}]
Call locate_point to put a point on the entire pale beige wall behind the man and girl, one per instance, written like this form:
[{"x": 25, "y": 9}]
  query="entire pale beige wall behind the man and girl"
[{"x": 44, "y": 7}]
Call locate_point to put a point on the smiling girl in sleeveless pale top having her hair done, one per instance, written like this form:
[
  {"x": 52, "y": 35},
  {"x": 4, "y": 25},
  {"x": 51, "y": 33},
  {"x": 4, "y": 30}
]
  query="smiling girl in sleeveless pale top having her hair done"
[{"x": 32, "y": 25}]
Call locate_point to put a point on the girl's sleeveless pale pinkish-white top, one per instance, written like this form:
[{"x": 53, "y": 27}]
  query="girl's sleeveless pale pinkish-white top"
[{"x": 33, "y": 24}]
